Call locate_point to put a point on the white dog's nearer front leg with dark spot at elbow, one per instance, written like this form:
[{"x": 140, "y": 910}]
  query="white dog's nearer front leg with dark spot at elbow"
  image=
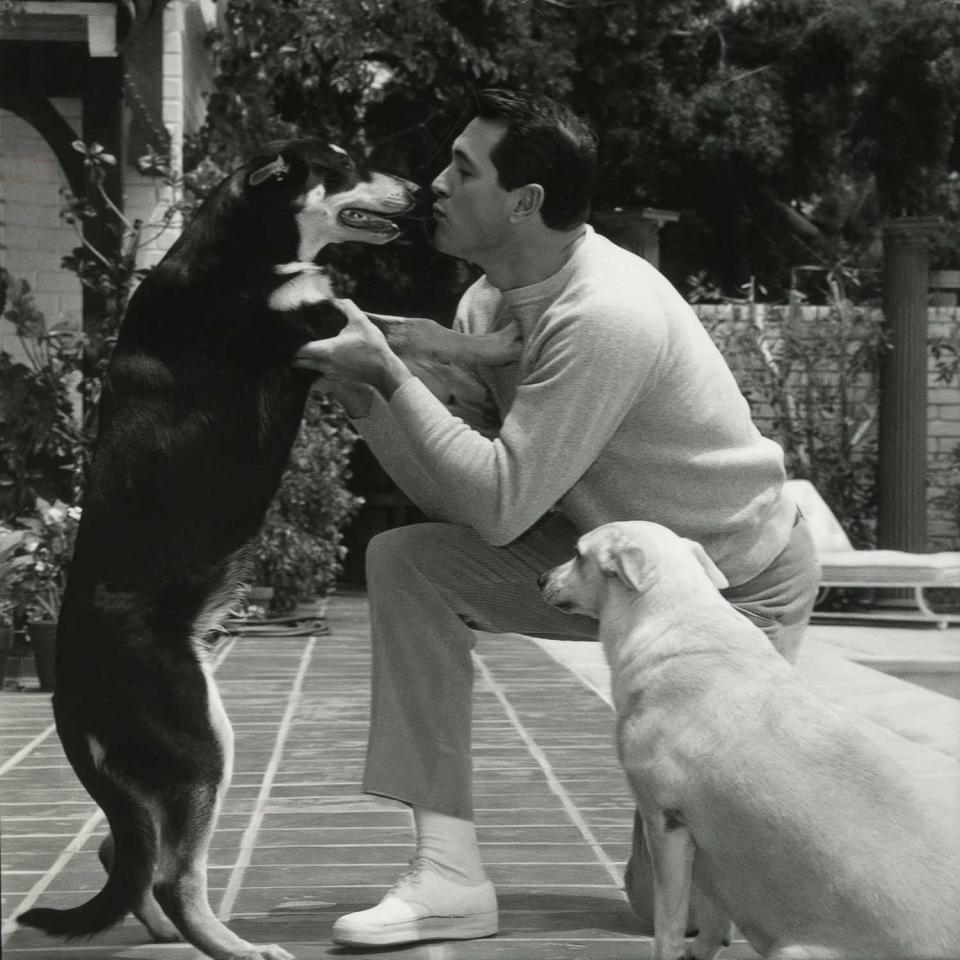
[{"x": 671, "y": 855}]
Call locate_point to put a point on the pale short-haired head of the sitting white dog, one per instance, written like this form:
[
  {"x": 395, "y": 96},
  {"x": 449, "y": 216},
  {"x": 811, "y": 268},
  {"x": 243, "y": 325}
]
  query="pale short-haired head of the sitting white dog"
[{"x": 632, "y": 554}]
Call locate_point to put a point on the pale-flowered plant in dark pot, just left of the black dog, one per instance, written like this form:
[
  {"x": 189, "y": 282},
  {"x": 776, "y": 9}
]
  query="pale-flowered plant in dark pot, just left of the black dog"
[{"x": 40, "y": 577}]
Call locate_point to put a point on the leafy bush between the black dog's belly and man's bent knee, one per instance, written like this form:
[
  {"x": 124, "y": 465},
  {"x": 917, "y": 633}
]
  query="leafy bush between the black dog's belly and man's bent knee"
[{"x": 299, "y": 551}]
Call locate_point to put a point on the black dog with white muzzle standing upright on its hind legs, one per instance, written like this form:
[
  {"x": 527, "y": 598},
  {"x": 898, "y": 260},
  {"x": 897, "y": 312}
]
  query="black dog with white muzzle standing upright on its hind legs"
[{"x": 200, "y": 409}]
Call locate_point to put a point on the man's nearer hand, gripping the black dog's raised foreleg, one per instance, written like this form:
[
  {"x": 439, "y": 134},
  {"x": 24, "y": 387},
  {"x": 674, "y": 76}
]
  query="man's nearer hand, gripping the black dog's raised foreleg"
[{"x": 358, "y": 354}]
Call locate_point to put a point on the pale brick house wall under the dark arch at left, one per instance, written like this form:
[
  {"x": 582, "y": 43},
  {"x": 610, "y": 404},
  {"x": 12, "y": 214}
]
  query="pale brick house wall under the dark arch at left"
[{"x": 32, "y": 236}]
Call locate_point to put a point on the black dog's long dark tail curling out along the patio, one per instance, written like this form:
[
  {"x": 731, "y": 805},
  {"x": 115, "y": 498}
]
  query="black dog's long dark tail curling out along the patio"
[{"x": 131, "y": 873}]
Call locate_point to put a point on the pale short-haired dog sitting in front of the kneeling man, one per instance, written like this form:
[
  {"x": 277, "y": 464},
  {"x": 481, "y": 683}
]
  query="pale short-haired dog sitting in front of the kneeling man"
[{"x": 791, "y": 821}]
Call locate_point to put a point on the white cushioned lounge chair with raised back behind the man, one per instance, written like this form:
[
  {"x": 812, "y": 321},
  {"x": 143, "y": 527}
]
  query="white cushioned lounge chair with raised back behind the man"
[{"x": 843, "y": 566}]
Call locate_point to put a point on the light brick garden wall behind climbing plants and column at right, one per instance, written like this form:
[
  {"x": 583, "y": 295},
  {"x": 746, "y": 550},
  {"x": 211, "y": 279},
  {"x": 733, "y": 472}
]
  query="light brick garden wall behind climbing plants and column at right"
[{"x": 943, "y": 411}]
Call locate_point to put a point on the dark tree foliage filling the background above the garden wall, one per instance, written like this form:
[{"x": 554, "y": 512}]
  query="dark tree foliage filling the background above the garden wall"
[{"x": 782, "y": 130}]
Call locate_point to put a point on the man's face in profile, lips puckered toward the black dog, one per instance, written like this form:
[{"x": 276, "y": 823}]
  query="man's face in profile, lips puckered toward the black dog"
[{"x": 472, "y": 210}]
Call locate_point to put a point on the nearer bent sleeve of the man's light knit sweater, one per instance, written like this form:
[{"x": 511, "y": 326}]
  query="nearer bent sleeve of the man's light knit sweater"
[{"x": 585, "y": 373}]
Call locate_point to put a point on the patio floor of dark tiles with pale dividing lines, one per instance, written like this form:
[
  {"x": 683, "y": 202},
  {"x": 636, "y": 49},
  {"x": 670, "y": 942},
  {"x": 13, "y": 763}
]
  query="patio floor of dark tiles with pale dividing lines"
[{"x": 297, "y": 843}]
